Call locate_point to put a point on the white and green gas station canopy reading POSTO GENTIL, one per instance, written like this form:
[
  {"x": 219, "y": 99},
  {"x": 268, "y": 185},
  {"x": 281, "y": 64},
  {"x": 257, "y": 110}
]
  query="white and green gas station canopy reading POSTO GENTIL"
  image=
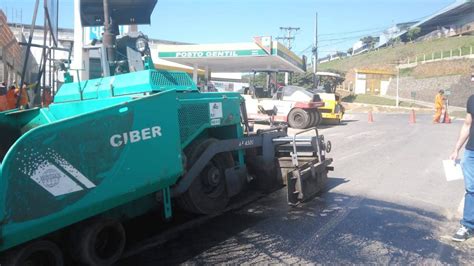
[{"x": 233, "y": 57}]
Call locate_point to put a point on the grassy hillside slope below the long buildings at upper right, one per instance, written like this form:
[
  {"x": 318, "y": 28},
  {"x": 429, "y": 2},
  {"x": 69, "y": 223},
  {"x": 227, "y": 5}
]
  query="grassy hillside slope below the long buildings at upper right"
[{"x": 385, "y": 57}]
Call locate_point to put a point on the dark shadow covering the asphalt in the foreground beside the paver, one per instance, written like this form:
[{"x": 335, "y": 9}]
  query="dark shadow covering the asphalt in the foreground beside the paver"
[{"x": 334, "y": 228}]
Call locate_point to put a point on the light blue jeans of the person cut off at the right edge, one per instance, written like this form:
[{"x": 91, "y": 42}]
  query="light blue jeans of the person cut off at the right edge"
[{"x": 468, "y": 171}]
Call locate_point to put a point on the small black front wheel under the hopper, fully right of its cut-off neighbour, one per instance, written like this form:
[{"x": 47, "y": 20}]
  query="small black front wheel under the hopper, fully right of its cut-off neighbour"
[{"x": 99, "y": 242}]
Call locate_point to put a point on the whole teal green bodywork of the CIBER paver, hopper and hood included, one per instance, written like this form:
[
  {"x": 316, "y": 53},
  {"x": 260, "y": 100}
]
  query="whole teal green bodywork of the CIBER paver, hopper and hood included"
[{"x": 105, "y": 154}]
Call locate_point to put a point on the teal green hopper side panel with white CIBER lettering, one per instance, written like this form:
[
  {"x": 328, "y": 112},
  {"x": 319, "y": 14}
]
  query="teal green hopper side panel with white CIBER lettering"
[{"x": 66, "y": 171}]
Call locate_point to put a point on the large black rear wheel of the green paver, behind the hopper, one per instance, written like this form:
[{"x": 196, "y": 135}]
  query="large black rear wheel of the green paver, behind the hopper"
[{"x": 207, "y": 193}]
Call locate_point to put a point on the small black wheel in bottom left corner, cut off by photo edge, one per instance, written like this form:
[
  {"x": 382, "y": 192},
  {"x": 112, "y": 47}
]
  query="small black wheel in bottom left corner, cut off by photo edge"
[{"x": 37, "y": 253}]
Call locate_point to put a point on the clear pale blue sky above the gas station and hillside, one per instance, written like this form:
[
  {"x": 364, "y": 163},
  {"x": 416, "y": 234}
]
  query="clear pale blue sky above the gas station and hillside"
[{"x": 341, "y": 22}]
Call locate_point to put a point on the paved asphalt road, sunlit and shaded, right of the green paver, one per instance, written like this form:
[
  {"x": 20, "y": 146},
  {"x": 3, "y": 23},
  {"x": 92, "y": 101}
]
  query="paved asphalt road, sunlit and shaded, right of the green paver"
[{"x": 388, "y": 203}]
